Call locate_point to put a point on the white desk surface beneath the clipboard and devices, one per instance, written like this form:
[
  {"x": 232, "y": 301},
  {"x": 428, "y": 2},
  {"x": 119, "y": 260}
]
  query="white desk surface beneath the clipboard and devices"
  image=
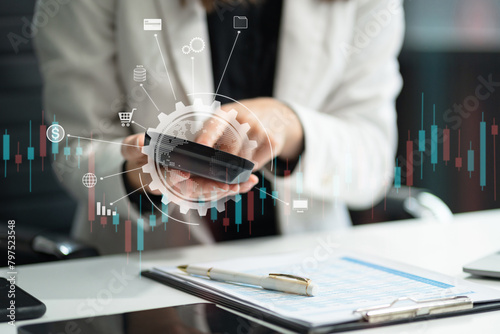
[{"x": 111, "y": 284}]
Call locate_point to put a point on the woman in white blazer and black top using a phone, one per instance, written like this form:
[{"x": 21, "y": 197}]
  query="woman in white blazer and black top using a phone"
[{"x": 319, "y": 77}]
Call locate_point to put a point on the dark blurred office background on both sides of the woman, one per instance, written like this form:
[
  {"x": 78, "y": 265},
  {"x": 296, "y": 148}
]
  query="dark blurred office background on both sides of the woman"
[{"x": 449, "y": 44}]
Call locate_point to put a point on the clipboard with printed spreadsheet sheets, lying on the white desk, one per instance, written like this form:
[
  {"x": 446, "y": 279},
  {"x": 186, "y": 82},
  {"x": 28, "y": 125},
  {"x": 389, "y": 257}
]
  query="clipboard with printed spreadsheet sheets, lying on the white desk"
[{"x": 353, "y": 289}]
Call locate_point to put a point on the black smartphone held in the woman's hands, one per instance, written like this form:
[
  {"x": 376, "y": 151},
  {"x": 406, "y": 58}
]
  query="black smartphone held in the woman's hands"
[{"x": 199, "y": 159}]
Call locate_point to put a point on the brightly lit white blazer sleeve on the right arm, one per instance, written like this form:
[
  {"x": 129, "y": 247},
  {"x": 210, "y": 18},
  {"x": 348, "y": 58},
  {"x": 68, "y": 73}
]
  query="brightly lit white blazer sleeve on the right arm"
[{"x": 350, "y": 143}]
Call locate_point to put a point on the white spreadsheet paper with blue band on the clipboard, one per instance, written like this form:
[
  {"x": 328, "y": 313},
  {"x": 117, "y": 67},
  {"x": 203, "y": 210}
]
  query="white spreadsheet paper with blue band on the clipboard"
[{"x": 346, "y": 282}]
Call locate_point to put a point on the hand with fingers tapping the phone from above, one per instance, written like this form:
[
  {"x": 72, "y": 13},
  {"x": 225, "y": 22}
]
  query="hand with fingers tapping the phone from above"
[{"x": 274, "y": 126}]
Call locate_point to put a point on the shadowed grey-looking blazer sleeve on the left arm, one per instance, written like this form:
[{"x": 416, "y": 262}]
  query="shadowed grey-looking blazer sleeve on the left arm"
[{"x": 77, "y": 55}]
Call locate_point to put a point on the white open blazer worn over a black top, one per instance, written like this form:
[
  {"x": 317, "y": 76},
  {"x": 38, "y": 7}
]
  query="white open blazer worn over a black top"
[{"x": 337, "y": 75}]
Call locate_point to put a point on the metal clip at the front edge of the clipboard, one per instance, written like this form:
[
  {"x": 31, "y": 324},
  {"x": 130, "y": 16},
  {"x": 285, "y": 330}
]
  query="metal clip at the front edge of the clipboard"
[{"x": 394, "y": 311}]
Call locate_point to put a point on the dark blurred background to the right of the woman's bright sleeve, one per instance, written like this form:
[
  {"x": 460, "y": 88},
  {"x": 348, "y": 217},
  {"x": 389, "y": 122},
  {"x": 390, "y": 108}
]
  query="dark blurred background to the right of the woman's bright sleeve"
[{"x": 449, "y": 45}]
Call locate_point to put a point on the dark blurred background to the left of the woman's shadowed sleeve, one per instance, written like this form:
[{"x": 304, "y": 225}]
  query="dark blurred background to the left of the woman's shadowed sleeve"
[{"x": 46, "y": 206}]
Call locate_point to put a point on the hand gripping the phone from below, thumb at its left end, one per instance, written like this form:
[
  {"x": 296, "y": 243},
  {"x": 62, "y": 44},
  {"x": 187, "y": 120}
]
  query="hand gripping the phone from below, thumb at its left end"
[{"x": 177, "y": 180}]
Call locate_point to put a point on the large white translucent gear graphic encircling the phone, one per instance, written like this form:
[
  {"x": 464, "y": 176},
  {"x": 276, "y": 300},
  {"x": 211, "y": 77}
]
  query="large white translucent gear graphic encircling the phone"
[{"x": 172, "y": 122}]
